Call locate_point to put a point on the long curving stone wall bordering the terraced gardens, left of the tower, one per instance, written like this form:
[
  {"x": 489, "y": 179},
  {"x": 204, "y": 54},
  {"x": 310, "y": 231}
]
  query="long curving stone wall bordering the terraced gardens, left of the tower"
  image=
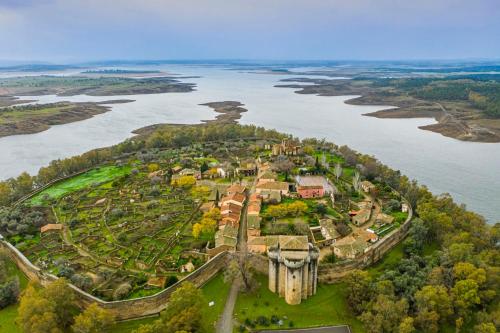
[{"x": 124, "y": 309}]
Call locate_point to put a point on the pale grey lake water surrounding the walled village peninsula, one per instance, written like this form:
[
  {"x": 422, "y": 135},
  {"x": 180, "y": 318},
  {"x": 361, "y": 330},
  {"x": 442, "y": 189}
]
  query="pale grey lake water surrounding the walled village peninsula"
[{"x": 469, "y": 171}]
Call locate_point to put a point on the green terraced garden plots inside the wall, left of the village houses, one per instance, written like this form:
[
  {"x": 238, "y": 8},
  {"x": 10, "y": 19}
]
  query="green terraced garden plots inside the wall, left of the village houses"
[{"x": 127, "y": 230}]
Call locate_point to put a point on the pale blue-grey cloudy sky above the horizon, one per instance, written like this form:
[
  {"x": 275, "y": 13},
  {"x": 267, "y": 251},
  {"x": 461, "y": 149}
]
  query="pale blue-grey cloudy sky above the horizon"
[{"x": 80, "y": 30}]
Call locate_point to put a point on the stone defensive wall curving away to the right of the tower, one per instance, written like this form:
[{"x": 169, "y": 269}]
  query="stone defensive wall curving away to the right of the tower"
[{"x": 329, "y": 273}]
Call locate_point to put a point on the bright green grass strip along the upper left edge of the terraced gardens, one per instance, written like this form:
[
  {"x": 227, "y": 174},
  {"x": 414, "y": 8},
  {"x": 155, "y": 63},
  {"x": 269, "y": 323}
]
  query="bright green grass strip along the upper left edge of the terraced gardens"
[{"x": 79, "y": 182}]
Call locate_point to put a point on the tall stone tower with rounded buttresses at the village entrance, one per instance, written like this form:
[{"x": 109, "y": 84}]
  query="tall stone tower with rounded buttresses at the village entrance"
[{"x": 293, "y": 268}]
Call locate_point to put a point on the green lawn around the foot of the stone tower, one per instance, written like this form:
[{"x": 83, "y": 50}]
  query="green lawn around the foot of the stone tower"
[{"x": 327, "y": 307}]
